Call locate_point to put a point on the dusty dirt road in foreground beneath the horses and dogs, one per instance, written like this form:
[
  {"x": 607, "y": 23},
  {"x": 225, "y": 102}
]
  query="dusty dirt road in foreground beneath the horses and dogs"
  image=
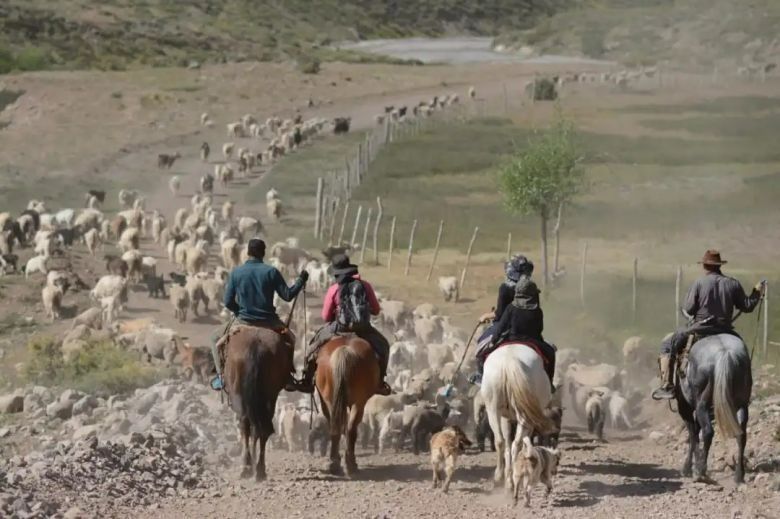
[{"x": 628, "y": 477}]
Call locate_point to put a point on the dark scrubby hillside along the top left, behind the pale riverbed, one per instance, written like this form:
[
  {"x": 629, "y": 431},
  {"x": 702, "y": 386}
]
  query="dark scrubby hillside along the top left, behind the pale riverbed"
[{"x": 112, "y": 34}]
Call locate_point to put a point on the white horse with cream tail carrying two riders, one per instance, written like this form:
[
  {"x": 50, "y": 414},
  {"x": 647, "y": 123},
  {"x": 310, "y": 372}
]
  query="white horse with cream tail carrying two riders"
[{"x": 515, "y": 388}]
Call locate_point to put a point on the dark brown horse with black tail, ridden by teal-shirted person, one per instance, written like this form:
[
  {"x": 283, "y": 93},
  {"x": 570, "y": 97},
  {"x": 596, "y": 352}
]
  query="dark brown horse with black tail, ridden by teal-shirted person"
[{"x": 257, "y": 364}]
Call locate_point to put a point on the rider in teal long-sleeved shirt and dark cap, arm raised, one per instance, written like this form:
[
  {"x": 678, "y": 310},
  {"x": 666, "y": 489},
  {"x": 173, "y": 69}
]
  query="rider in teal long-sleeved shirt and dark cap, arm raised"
[{"x": 249, "y": 295}]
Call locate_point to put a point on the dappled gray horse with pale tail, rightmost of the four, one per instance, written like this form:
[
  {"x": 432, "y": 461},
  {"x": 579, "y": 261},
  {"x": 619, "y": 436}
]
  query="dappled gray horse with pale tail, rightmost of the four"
[{"x": 717, "y": 383}]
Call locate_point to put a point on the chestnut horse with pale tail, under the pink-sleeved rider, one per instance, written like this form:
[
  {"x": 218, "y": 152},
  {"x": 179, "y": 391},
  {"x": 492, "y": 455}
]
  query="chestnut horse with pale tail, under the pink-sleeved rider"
[{"x": 347, "y": 376}]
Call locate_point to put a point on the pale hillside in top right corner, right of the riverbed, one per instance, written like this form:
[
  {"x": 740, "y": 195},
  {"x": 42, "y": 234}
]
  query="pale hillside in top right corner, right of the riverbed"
[{"x": 688, "y": 33}]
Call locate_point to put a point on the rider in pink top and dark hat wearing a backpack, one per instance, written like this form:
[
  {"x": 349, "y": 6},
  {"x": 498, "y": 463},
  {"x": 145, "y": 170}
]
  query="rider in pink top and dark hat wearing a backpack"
[{"x": 347, "y": 308}]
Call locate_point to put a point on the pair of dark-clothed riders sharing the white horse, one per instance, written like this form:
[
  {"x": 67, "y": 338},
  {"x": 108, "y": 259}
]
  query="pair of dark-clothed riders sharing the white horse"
[{"x": 522, "y": 320}]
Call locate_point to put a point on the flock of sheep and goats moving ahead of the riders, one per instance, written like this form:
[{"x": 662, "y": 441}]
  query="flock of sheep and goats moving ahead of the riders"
[{"x": 203, "y": 242}]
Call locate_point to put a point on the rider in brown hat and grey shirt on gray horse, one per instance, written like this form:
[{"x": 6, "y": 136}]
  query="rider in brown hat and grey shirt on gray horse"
[{"x": 710, "y": 307}]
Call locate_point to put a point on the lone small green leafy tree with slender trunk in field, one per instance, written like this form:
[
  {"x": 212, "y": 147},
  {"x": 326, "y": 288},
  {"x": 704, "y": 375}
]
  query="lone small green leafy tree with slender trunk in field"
[{"x": 543, "y": 177}]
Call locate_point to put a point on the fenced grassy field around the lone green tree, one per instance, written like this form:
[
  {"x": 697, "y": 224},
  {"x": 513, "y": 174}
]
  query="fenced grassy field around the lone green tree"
[{"x": 662, "y": 199}]
